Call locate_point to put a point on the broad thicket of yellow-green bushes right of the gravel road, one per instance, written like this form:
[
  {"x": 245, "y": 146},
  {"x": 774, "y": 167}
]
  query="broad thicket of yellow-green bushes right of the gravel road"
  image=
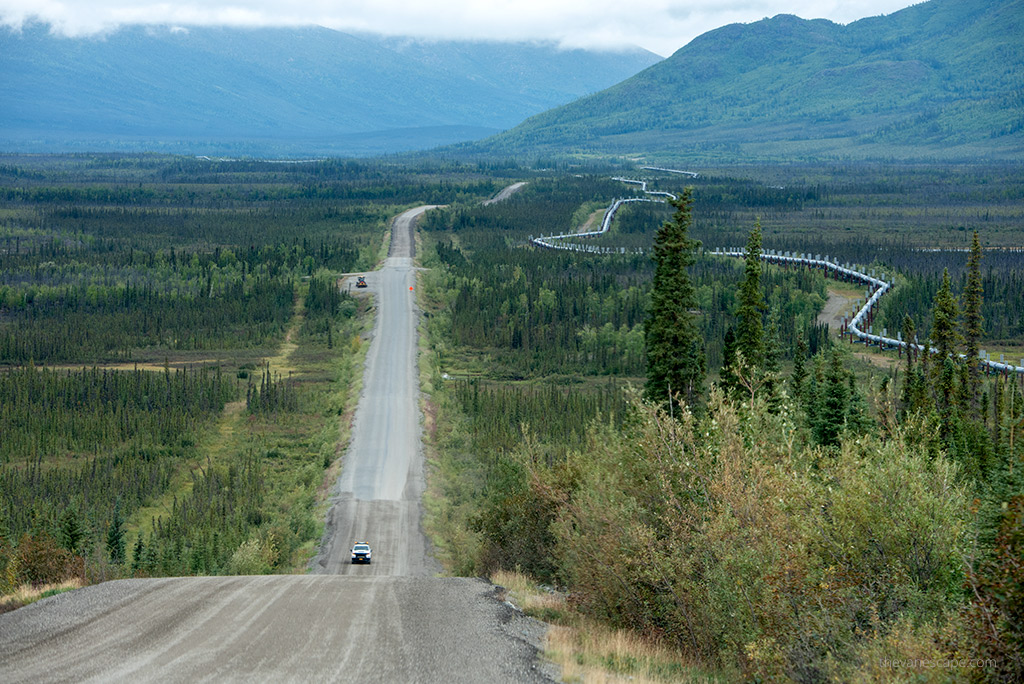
[{"x": 755, "y": 554}]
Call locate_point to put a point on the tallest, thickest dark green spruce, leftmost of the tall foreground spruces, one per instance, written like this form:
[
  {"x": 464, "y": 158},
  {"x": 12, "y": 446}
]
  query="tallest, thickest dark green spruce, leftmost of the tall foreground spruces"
[{"x": 676, "y": 358}]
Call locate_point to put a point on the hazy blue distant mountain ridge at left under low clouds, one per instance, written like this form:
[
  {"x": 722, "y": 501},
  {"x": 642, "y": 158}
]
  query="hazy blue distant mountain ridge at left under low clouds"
[{"x": 307, "y": 91}]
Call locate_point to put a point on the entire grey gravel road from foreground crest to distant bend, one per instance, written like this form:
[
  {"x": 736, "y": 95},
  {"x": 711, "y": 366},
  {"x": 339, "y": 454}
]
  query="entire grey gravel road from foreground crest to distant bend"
[{"x": 389, "y": 622}]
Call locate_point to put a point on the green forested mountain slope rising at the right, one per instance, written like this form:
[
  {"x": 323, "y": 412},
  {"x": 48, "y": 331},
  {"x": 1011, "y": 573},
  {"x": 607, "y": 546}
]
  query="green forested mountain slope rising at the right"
[{"x": 940, "y": 80}]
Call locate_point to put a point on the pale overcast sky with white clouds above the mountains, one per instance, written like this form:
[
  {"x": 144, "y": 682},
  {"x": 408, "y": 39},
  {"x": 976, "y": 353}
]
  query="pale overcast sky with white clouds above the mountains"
[{"x": 660, "y": 26}]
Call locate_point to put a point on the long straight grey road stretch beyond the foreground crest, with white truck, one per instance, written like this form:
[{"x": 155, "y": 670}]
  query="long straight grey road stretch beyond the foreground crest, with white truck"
[{"x": 377, "y": 499}]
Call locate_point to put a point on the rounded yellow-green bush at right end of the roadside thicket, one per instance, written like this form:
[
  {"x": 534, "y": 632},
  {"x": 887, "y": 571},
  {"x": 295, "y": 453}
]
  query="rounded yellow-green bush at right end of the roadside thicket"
[{"x": 899, "y": 521}]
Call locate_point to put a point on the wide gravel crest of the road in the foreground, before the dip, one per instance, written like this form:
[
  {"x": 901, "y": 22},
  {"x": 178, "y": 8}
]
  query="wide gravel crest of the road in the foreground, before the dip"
[{"x": 279, "y": 628}]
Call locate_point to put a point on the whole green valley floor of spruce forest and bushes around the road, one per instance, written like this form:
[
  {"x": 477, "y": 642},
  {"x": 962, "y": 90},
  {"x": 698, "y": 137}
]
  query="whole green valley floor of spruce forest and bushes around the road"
[{"x": 177, "y": 358}]
